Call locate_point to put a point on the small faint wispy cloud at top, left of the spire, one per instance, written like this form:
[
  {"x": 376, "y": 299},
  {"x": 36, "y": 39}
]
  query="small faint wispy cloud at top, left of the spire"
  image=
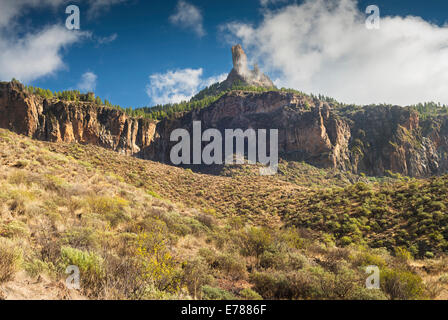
[{"x": 188, "y": 16}]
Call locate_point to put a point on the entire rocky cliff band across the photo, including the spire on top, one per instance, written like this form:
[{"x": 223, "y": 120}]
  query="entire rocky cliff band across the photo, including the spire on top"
[{"x": 370, "y": 139}]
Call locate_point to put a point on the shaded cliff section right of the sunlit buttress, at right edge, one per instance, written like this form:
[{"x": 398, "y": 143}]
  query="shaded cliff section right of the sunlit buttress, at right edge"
[{"x": 396, "y": 139}]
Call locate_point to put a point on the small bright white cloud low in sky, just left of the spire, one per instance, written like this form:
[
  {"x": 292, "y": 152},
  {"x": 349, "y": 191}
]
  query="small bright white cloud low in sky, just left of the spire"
[{"x": 179, "y": 85}]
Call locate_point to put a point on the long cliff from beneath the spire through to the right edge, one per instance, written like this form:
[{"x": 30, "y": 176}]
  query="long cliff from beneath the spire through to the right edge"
[{"x": 368, "y": 140}]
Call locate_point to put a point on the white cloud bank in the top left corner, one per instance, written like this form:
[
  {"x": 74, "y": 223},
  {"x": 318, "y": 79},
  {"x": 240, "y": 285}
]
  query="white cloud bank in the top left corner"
[{"x": 31, "y": 55}]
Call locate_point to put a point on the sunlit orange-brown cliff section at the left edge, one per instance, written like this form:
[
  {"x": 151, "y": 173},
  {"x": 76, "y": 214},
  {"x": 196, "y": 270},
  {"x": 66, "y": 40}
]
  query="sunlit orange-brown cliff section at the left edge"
[{"x": 72, "y": 121}]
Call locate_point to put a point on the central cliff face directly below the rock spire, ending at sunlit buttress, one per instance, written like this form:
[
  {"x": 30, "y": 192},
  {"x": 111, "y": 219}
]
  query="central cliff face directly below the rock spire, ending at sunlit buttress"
[{"x": 313, "y": 134}]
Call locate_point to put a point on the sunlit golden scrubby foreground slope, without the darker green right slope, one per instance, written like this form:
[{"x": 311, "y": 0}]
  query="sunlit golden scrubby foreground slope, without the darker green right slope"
[{"x": 144, "y": 230}]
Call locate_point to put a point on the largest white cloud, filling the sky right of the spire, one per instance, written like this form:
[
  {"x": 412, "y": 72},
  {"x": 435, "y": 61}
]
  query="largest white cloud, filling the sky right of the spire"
[{"x": 324, "y": 47}]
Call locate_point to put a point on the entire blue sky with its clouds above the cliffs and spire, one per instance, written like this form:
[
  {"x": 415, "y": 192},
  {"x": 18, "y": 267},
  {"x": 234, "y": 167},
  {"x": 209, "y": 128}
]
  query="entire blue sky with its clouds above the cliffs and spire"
[{"x": 125, "y": 48}]
